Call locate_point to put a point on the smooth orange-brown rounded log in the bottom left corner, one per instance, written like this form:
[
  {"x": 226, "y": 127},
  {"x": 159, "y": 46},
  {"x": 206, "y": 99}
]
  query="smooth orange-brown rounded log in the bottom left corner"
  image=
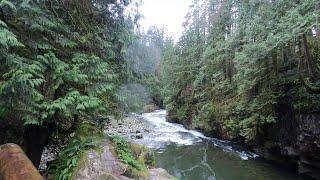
[{"x": 15, "y": 165}]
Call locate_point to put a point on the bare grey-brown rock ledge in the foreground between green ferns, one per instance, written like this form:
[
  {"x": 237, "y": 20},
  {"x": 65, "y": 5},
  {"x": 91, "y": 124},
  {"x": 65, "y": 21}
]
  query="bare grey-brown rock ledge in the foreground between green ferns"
[{"x": 104, "y": 163}]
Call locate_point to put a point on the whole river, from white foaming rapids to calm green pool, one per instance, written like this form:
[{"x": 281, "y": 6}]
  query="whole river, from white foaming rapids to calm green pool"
[{"x": 188, "y": 154}]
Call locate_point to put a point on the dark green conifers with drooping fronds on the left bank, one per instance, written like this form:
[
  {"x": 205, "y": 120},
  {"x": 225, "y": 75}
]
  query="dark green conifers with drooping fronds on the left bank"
[{"x": 61, "y": 64}]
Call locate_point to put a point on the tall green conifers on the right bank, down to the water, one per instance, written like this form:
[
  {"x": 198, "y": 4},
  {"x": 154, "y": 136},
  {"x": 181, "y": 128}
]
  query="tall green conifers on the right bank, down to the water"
[{"x": 249, "y": 71}]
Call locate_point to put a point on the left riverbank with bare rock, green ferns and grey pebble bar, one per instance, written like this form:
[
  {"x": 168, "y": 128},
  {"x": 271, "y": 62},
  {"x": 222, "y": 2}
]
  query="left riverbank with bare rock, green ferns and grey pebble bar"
[{"x": 101, "y": 157}]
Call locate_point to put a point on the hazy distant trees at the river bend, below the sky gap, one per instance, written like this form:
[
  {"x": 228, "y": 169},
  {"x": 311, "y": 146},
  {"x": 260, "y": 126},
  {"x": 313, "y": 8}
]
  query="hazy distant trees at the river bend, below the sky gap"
[{"x": 144, "y": 68}]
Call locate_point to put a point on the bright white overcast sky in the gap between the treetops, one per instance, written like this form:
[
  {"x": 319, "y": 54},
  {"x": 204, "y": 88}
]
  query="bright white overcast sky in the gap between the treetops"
[{"x": 165, "y": 13}]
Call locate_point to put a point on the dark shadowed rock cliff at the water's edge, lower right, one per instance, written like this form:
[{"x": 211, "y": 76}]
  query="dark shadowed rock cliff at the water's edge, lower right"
[{"x": 294, "y": 141}]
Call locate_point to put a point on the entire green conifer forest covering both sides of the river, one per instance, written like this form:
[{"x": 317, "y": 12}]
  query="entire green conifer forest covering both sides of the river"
[{"x": 247, "y": 71}]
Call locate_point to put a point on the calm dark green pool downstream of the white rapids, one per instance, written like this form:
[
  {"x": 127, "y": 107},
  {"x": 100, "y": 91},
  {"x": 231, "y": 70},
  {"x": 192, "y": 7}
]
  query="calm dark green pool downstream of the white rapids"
[{"x": 206, "y": 161}]
